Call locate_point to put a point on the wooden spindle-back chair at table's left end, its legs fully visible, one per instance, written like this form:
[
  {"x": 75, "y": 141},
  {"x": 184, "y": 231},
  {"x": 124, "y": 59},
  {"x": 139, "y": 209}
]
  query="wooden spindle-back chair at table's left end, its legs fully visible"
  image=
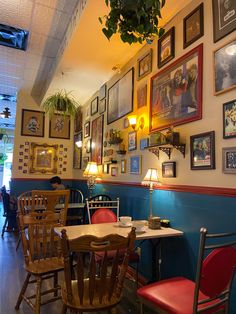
[{"x": 42, "y": 255}]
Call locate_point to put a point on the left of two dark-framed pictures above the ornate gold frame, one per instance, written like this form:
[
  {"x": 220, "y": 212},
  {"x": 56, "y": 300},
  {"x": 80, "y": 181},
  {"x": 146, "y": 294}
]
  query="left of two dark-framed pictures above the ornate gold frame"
[{"x": 32, "y": 123}]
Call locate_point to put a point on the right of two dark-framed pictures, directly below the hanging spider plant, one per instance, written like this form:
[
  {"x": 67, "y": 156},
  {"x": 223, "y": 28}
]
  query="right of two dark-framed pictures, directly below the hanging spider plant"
[{"x": 59, "y": 126}]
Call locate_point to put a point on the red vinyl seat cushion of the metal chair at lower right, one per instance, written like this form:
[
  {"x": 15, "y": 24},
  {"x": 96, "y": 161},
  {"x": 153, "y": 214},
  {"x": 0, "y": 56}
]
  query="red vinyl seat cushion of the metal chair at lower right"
[{"x": 174, "y": 296}]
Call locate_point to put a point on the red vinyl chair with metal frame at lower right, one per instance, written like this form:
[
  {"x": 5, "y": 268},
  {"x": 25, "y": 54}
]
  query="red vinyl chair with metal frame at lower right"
[{"x": 210, "y": 293}]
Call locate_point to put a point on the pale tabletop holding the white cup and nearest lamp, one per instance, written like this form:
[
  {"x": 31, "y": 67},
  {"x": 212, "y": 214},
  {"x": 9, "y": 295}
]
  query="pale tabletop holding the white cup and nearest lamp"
[{"x": 103, "y": 229}]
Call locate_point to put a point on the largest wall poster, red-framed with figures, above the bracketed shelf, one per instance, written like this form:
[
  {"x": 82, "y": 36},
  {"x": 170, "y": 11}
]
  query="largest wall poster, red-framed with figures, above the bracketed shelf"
[{"x": 176, "y": 92}]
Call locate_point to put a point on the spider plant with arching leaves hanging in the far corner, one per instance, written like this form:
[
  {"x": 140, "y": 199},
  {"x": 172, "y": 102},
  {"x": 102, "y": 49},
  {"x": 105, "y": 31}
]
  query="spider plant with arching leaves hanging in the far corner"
[{"x": 62, "y": 102}]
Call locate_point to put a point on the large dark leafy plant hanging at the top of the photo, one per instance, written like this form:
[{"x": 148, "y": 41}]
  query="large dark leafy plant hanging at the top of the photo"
[{"x": 135, "y": 20}]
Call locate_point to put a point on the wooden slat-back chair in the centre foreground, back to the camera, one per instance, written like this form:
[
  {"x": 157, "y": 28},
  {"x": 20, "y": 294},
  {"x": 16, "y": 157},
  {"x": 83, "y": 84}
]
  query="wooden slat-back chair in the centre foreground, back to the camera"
[{"x": 91, "y": 290}]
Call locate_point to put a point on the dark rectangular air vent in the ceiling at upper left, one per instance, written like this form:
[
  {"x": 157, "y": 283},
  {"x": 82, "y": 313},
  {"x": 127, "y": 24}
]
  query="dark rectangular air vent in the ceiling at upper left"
[{"x": 13, "y": 37}]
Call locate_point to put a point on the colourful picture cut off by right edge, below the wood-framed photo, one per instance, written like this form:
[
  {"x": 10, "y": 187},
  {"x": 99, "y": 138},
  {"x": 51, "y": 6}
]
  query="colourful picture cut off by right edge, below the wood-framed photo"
[{"x": 229, "y": 119}]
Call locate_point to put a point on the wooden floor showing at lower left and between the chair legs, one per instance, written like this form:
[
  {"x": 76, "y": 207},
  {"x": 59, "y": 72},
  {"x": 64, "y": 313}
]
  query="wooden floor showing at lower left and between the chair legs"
[{"x": 12, "y": 275}]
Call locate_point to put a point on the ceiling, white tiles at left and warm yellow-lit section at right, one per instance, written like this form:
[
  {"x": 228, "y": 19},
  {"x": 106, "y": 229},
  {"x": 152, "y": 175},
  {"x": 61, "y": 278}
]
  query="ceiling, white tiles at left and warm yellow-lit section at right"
[{"x": 65, "y": 37}]
